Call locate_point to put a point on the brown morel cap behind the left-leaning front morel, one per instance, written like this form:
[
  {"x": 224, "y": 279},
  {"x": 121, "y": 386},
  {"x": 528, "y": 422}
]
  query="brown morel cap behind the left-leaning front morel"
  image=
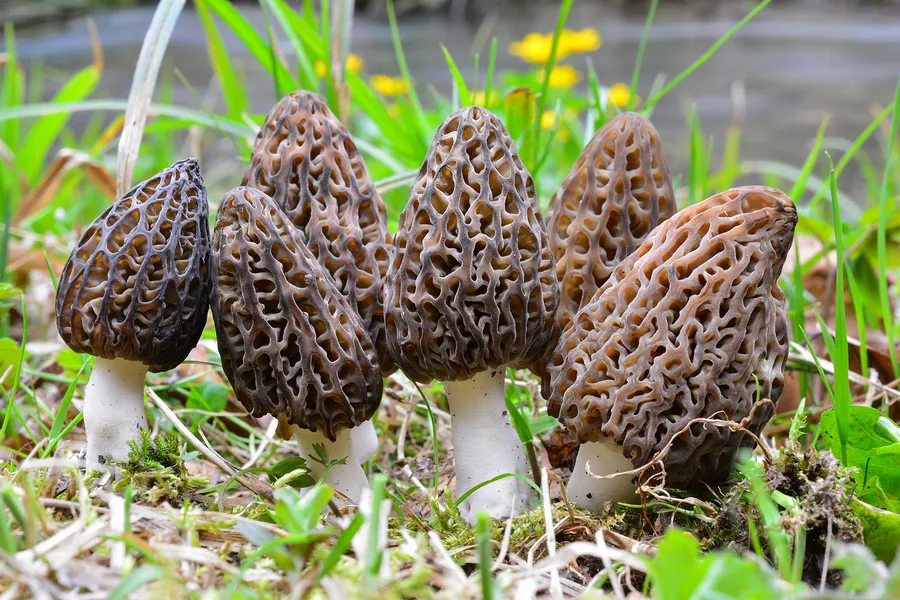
[{"x": 305, "y": 159}]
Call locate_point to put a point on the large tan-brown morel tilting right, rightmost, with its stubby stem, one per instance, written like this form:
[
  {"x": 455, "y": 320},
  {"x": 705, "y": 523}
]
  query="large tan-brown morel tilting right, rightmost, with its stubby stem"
[{"x": 691, "y": 325}]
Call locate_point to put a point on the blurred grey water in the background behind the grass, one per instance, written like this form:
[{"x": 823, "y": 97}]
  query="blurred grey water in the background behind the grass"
[{"x": 797, "y": 63}]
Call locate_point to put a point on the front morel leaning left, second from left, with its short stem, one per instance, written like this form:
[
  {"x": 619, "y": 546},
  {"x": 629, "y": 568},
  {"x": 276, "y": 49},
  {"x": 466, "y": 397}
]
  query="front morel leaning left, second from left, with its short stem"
[{"x": 290, "y": 343}]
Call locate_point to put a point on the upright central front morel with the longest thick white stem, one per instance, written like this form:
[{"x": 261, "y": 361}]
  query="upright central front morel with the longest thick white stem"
[{"x": 471, "y": 289}]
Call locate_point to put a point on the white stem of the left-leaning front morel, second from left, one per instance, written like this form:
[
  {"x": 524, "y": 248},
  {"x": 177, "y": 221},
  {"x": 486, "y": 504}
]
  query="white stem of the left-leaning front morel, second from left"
[{"x": 349, "y": 479}]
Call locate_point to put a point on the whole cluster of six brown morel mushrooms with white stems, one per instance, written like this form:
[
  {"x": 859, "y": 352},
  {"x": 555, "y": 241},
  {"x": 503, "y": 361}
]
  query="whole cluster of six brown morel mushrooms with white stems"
[{"x": 641, "y": 322}]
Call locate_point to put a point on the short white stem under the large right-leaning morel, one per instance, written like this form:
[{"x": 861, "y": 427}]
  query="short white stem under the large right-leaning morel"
[{"x": 603, "y": 458}]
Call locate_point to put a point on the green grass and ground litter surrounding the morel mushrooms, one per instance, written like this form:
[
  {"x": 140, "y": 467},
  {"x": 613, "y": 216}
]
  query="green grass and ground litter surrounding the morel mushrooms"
[{"x": 226, "y": 539}]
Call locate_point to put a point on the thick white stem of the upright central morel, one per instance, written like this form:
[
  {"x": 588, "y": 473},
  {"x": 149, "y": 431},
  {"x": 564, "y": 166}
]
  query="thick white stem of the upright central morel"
[{"x": 485, "y": 445}]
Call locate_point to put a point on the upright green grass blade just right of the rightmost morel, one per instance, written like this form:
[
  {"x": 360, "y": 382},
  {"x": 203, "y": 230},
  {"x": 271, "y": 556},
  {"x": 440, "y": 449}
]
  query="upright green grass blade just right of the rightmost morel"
[{"x": 842, "y": 397}]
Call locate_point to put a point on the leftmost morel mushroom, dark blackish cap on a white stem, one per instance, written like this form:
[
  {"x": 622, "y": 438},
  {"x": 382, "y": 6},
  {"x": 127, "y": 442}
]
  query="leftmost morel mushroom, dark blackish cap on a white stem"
[{"x": 134, "y": 294}]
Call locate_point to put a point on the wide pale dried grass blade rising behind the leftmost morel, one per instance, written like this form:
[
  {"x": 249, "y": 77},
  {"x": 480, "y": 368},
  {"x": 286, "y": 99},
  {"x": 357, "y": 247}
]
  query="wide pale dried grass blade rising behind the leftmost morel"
[{"x": 145, "y": 74}]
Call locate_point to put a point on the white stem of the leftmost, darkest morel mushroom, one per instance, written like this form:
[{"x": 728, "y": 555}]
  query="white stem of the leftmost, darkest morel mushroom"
[{"x": 113, "y": 410}]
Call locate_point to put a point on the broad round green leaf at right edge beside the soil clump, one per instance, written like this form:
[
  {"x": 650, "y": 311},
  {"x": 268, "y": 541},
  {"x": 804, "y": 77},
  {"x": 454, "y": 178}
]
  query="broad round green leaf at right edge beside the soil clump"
[{"x": 865, "y": 438}]
